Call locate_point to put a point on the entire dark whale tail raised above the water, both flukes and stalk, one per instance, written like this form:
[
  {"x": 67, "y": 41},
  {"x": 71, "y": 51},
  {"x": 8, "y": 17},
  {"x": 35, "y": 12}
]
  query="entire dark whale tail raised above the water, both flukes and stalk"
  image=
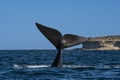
[{"x": 60, "y": 41}]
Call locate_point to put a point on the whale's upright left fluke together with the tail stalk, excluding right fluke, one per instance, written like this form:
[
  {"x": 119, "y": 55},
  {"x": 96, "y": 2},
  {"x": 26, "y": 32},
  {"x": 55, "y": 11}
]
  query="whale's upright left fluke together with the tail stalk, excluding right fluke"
[{"x": 55, "y": 37}]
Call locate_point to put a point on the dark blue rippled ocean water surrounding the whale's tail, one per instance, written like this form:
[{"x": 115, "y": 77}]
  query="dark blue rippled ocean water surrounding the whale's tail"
[{"x": 77, "y": 65}]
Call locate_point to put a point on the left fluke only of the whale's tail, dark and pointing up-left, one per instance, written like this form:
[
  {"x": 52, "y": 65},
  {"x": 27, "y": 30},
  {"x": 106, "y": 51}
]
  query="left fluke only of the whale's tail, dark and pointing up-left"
[{"x": 53, "y": 35}]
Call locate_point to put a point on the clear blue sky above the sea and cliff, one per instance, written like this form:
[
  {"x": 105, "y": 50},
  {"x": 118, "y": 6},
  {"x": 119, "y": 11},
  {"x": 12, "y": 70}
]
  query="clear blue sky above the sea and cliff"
[{"x": 89, "y": 18}]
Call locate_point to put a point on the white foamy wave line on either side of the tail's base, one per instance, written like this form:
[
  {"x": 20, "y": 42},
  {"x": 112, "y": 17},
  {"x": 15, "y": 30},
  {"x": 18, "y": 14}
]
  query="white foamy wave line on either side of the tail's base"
[{"x": 69, "y": 66}]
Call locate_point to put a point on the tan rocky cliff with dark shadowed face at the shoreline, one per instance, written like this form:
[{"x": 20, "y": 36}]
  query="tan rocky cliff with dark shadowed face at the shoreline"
[{"x": 102, "y": 43}]
